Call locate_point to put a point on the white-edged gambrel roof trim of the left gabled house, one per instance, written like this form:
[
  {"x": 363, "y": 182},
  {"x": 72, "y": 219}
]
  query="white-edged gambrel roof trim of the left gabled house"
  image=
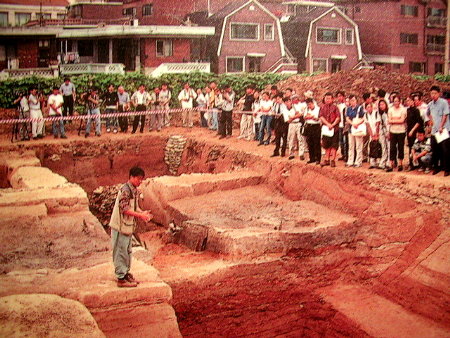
[{"x": 228, "y": 11}]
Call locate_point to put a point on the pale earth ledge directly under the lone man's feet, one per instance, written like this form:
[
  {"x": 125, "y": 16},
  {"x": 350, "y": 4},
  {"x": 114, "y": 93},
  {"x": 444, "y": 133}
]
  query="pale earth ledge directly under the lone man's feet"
[{"x": 144, "y": 310}]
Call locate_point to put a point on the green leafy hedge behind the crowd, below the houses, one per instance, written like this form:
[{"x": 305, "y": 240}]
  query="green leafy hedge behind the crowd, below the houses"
[{"x": 9, "y": 89}]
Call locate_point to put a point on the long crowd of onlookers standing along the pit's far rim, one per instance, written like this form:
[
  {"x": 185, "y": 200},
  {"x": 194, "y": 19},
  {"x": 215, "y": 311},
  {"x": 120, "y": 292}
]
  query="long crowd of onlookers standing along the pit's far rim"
[{"x": 372, "y": 128}]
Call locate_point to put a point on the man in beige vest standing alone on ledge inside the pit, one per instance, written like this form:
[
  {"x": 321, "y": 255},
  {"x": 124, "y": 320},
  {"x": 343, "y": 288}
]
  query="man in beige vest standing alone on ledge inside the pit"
[{"x": 123, "y": 223}]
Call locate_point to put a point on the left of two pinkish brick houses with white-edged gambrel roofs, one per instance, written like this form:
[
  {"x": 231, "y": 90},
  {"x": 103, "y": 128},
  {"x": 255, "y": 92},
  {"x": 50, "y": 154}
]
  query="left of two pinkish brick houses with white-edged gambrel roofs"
[{"x": 248, "y": 38}]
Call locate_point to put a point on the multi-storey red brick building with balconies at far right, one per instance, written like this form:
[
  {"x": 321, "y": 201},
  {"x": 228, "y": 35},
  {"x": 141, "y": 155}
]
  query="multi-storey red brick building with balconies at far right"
[{"x": 406, "y": 36}]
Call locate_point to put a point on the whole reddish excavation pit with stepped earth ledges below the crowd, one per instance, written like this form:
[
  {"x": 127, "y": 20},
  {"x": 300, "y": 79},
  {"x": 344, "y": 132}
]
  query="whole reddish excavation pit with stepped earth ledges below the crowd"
[{"x": 269, "y": 247}]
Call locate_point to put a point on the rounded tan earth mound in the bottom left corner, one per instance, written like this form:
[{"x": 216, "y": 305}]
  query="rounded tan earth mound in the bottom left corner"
[{"x": 41, "y": 315}]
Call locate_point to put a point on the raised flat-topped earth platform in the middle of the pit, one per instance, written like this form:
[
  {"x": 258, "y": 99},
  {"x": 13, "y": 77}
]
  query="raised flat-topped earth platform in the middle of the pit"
[{"x": 256, "y": 220}]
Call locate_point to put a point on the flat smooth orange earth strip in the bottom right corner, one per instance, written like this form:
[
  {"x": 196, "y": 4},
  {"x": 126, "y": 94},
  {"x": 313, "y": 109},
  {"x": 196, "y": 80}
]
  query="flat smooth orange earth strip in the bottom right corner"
[{"x": 378, "y": 316}]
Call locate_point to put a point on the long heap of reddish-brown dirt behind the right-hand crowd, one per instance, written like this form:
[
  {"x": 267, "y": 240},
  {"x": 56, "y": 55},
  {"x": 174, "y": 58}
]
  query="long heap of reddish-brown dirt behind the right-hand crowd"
[{"x": 360, "y": 81}]
